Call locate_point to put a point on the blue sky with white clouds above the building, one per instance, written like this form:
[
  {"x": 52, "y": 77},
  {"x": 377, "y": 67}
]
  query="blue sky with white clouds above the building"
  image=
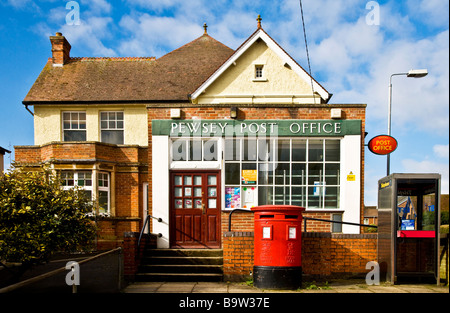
[{"x": 354, "y": 47}]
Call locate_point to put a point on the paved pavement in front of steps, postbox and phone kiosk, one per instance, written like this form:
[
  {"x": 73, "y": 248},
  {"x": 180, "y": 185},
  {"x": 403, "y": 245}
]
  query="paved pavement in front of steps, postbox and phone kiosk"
[{"x": 344, "y": 286}]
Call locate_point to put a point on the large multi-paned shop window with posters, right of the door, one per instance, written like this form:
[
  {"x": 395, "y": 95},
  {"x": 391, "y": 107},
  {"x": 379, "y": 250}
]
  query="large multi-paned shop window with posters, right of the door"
[{"x": 303, "y": 172}]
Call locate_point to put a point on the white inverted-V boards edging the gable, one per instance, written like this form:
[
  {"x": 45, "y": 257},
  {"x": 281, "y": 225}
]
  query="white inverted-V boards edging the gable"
[{"x": 261, "y": 34}]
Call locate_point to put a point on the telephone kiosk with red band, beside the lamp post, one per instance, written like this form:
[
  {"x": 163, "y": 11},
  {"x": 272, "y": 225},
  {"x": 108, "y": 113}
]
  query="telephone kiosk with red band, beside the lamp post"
[{"x": 408, "y": 227}]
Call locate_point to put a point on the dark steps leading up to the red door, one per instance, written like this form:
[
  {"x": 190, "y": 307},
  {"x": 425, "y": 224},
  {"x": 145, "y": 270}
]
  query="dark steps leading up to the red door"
[{"x": 183, "y": 265}]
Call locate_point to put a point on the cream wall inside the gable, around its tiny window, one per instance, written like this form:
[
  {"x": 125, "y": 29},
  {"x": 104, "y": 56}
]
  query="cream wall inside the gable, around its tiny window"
[{"x": 237, "y": 83}]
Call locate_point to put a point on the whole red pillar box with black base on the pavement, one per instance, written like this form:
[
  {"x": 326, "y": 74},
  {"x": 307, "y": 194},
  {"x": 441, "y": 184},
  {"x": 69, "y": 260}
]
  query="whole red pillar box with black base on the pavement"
[{"x": 278, "y": 247}]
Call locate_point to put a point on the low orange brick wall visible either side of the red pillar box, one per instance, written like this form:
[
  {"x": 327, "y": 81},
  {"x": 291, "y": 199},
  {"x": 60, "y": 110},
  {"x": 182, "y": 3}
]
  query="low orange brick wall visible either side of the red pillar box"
[{"x": 323, "y": 254}]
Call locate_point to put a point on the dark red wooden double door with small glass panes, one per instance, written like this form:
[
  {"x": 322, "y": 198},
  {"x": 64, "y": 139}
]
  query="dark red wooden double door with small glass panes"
[{"x": 195, "y": 209}]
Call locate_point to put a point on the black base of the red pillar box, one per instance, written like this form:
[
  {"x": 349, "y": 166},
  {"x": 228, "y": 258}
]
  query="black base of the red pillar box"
[{"x": 277, "y": 277}]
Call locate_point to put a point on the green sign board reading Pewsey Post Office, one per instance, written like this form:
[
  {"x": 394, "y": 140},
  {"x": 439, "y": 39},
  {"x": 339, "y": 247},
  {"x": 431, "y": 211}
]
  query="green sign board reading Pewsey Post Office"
[{"x": 239, "y": 128}]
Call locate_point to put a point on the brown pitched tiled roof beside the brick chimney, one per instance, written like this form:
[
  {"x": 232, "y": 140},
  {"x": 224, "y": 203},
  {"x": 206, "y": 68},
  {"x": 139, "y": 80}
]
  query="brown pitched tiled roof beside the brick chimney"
[{"x": 170, "y": 78}]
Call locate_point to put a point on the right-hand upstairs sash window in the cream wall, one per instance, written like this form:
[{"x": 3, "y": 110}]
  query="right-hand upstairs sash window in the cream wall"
[{"x": 112, "y": 127}]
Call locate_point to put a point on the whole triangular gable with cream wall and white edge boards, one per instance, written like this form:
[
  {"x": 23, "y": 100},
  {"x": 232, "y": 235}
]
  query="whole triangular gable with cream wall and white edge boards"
[{"x": 258, "y": 69}]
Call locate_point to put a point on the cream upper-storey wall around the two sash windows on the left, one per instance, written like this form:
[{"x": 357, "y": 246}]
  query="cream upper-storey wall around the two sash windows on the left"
[{"x": 48, "y": 123}]
